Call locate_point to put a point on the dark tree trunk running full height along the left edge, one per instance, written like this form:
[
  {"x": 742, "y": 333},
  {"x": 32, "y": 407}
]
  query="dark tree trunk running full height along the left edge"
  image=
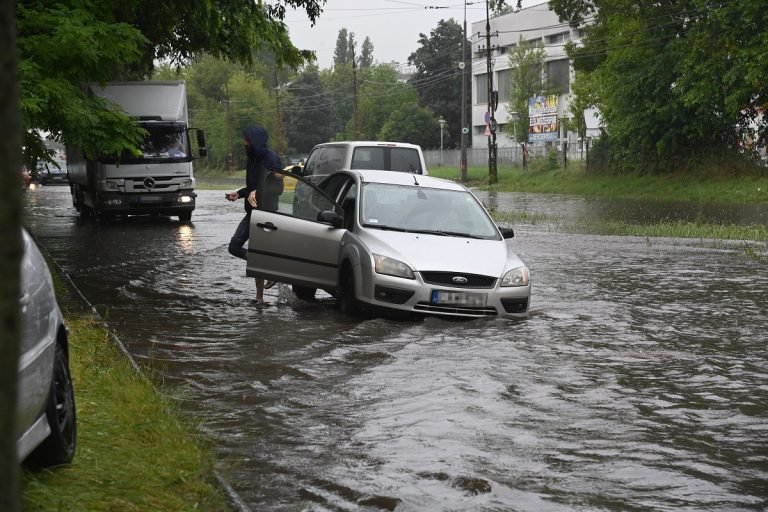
[{"x": 10, "y": 254}]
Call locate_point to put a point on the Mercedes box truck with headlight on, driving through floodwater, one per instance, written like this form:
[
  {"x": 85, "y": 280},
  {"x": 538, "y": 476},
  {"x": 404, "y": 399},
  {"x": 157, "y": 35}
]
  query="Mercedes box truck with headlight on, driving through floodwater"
[{"x": 158, "y": 181}]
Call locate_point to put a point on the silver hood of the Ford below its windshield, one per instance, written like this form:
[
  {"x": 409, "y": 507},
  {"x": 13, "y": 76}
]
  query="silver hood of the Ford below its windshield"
[{"x": 444, "y": 253}]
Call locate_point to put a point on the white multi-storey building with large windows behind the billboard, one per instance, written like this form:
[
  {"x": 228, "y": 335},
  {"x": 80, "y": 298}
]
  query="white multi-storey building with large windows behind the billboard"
[{"x": 538, "y": 25}]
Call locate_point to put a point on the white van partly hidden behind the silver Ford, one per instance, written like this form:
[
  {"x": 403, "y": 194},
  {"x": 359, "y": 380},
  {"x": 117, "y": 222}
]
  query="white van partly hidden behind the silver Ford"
[{"x": 331, "y": 157}]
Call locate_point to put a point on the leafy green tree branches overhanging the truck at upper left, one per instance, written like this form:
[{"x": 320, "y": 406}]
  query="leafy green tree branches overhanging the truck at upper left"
[{"x": 65, "y": 44}]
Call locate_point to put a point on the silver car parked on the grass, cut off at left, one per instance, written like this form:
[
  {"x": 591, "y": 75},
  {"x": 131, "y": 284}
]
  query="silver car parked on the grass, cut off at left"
[{"x": 46, "y": 422}]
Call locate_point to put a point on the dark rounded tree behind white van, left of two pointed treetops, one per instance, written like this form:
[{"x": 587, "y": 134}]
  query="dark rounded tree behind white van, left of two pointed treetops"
[{"x": 307, "y": 112}]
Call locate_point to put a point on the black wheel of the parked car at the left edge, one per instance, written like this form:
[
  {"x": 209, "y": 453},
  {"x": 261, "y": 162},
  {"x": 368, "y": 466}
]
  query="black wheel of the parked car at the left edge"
[{"x": 59, "y": 447}]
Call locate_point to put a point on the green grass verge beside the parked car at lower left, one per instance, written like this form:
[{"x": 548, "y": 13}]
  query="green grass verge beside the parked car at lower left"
[{"x": 136, "y": 451}]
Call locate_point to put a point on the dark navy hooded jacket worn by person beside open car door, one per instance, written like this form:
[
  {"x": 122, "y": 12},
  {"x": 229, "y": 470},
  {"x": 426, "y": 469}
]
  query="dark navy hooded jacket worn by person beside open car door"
[{"x": 260, "y": 159}]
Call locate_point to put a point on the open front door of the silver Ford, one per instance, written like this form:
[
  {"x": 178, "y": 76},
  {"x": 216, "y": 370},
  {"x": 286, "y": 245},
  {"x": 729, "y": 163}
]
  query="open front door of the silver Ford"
[{"x": 295, "y": 237}]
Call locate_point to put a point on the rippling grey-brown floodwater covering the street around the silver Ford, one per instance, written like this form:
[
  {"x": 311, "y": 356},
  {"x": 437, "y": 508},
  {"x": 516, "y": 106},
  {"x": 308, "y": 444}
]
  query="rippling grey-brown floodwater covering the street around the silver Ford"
[{"x": 639, "y": 382}]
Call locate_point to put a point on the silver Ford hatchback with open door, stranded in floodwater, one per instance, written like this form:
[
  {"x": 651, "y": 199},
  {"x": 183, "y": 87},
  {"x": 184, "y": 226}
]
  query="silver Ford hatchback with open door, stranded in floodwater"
[{"x": 380, "y": 240}]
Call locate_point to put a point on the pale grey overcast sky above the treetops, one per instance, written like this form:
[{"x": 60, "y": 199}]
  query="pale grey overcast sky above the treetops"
[{"x": 392, "y": 25}]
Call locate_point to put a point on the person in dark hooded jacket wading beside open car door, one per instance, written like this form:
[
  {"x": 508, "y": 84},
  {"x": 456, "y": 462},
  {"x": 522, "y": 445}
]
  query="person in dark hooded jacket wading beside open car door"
[{"x": 260, "y": 159}]
